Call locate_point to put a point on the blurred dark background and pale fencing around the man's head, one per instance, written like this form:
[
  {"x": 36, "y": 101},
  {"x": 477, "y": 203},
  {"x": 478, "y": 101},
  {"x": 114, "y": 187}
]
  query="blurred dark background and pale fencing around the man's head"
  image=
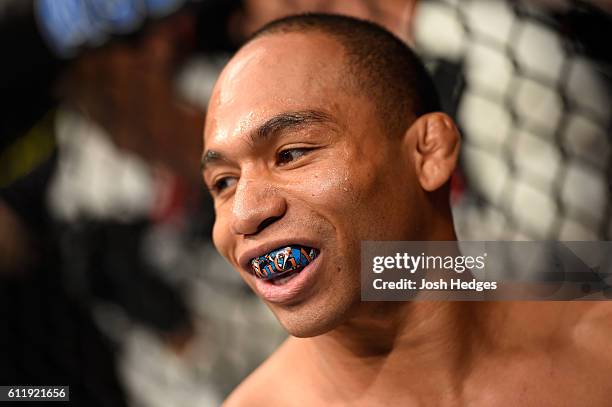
[{"x": 108, "y": 279}]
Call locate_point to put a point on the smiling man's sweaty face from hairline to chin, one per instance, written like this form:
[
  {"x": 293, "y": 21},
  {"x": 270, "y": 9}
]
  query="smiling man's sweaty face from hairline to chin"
[{"x": 296, "y": 157}]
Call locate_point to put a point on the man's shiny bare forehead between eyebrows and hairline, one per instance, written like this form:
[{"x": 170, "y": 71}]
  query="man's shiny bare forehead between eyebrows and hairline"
[{"x": 274, "y": 74}]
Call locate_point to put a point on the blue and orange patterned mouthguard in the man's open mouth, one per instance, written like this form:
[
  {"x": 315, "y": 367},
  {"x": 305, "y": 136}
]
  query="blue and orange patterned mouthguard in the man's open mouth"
[{"x": 283, "y": 262}]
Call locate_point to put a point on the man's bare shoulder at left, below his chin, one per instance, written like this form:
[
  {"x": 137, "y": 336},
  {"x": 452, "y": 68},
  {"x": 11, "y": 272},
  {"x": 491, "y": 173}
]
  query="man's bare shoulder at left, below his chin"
[{"x": 263, "y": 386}]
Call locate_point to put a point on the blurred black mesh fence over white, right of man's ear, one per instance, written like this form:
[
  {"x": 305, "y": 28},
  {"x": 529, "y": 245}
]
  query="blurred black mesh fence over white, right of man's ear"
[{"x": 530, "y": 87}]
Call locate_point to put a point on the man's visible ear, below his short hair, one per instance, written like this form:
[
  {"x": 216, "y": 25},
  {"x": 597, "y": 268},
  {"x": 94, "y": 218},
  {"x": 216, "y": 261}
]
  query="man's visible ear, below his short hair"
[{"x": 436, "y": 143}]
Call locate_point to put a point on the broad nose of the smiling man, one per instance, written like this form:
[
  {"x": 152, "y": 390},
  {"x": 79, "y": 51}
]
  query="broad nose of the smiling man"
[{"x": 256, "y": 206}]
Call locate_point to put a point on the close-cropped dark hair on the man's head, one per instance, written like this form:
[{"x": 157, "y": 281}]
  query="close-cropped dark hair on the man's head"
[{"x": 382, "y": 66}]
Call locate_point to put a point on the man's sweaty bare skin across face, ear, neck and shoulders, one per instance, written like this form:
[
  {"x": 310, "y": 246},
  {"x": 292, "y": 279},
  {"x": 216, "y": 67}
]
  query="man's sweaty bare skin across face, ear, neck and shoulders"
[{"x": 292, "y": 154}]
